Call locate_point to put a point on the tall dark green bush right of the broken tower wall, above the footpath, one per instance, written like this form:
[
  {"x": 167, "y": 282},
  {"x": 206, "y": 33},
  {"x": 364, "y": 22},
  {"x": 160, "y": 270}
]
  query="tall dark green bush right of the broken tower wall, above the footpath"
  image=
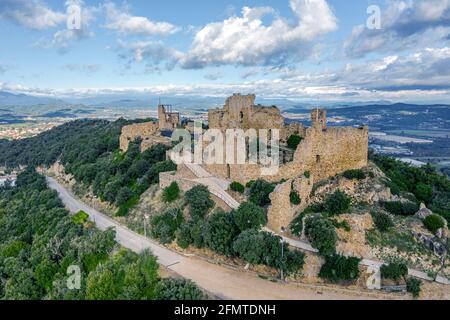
[{"x": 322, "y": 235}]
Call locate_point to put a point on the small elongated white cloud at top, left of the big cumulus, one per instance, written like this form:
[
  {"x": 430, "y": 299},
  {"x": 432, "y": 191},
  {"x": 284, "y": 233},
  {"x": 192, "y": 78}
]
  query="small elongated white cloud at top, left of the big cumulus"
[{"x": 123, "y": 22}]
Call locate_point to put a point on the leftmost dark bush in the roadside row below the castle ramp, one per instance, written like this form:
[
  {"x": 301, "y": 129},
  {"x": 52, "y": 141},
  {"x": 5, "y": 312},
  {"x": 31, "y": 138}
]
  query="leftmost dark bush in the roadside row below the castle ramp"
[{"x": 166, "y": 224}]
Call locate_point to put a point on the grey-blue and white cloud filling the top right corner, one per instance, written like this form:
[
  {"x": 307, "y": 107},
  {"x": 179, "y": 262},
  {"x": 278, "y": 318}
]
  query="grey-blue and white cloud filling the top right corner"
[{"x": 405, "y": 25}]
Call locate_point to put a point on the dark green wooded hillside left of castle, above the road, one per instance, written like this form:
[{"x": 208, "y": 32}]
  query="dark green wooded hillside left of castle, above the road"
[{"x": 89, "y": 150}]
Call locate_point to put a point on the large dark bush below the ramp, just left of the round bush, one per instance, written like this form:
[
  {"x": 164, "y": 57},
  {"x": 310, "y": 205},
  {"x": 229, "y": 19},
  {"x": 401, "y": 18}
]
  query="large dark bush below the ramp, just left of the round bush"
[{"x": 219, "y": 233}]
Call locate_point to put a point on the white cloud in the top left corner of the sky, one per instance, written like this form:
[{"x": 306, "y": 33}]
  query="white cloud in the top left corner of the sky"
[{"x": 33, "y": 14}]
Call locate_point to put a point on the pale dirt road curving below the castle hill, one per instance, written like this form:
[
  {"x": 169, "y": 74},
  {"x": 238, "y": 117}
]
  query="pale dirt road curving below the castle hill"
[{"x": 223, "y": 282}]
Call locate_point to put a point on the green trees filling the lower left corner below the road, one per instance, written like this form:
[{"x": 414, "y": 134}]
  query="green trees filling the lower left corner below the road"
[{"x": 42, "y": 249}]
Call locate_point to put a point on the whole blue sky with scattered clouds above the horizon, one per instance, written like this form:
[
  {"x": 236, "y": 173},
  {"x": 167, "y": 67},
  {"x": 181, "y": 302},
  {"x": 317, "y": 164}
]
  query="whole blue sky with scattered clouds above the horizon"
[{"x": 305, "y": 50}]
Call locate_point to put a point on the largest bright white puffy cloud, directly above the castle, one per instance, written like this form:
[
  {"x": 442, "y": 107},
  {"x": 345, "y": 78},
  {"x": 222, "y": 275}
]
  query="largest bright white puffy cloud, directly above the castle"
[{"x": 246, "y": 40}]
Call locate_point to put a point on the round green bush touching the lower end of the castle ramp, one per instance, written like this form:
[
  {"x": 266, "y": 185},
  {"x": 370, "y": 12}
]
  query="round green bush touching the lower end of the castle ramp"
[{"x": 249, "y": 216}]
